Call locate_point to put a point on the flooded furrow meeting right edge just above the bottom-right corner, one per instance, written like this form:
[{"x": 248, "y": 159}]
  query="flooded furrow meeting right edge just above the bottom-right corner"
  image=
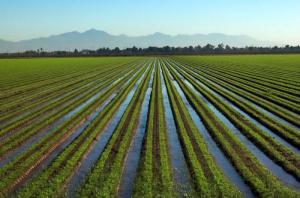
[{"x": 276, "y": 170}]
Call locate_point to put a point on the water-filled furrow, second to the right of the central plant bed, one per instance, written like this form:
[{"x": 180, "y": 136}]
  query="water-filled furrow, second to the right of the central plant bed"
[{"x": 218, "y": 155}]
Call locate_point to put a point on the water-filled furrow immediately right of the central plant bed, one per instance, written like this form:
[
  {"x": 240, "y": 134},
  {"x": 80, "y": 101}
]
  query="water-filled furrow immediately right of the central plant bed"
[{"x": 182, "y": 178}]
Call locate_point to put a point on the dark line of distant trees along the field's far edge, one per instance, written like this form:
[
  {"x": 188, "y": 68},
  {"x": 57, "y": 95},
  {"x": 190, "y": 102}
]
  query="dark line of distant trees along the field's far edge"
[{"x": 167, "y": 50}]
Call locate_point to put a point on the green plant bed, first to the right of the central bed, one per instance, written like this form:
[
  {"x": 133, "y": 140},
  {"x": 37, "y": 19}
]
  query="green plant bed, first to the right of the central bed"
[{"x": 209, "y": 180}]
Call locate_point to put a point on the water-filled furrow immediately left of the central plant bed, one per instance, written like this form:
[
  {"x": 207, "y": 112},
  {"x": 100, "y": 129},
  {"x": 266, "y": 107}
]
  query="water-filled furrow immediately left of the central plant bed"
[{"x": 133, "y": 155}]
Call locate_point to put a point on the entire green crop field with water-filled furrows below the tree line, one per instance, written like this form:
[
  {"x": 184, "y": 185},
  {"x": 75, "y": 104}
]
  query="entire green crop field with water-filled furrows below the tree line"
[{"x": 169, "y": 126}]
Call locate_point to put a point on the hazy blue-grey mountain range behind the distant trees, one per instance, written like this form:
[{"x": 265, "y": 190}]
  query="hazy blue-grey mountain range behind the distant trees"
[{"x": 94, "y": 39}]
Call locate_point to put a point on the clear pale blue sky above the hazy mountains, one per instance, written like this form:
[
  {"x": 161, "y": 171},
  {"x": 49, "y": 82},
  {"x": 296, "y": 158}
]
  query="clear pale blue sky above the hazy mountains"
[{"x": 271, "y": 20}]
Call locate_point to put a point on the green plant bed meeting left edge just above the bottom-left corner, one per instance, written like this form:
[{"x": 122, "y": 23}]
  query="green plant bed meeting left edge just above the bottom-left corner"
[{"x": 25, "y": 163}]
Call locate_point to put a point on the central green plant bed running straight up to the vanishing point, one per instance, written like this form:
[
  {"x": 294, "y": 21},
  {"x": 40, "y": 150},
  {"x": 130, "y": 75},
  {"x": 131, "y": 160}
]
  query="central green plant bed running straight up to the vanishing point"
[{"x": 154, "y": 173}]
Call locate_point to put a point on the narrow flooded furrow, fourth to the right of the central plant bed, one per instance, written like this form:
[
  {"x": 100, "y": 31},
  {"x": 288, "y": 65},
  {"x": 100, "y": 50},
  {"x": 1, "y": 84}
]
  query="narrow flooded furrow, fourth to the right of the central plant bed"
[{"x": 247, "y": 116}]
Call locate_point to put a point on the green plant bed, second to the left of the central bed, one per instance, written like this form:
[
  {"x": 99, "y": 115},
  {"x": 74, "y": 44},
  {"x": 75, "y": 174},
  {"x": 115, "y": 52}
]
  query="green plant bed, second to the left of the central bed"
[{"x": 53, "y": 180}]
